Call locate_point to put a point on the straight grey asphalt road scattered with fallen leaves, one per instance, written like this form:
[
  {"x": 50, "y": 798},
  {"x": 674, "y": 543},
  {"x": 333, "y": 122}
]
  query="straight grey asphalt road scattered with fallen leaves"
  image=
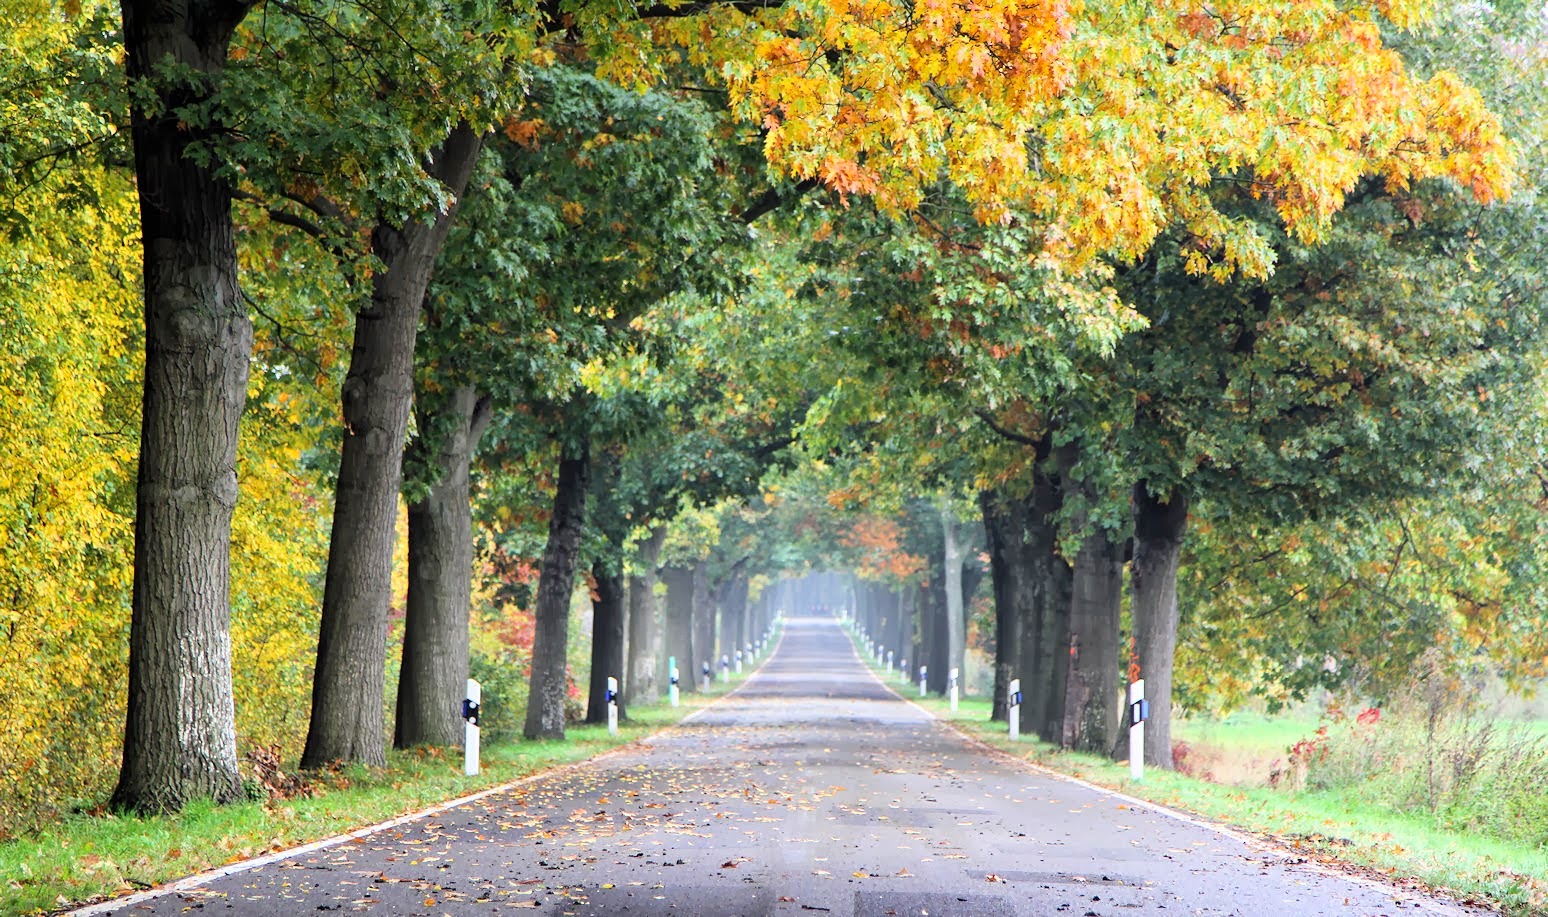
[{"x": 812, "y": 791}]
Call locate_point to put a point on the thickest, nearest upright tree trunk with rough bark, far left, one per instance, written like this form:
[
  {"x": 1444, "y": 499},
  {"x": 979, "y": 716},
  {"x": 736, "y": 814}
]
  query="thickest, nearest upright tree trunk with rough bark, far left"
[{"x": 179, "y": 733}]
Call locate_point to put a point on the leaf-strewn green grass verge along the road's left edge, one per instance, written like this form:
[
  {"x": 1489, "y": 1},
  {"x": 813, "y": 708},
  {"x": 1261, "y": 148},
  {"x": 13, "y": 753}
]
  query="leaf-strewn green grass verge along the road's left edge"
[{"x": 92, "y": 857}]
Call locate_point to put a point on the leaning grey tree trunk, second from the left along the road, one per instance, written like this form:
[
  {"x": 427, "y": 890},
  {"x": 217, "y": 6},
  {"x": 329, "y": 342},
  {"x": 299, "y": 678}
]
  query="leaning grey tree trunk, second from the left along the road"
[{"x": 352, "y": 645}]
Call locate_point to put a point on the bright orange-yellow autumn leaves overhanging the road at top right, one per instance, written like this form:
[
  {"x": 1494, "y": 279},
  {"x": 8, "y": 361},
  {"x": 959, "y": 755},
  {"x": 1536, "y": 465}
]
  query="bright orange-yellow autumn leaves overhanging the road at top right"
[{"x": 1101, "y": 123}]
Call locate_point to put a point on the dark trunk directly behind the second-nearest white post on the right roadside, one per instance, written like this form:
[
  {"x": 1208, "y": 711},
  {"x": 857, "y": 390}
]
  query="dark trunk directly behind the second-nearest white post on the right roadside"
[{"x": 1004, "y": 527}]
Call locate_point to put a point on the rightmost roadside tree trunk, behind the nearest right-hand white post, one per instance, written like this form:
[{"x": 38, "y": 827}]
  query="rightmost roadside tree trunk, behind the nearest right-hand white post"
[{"x": 1160, "y": 529}]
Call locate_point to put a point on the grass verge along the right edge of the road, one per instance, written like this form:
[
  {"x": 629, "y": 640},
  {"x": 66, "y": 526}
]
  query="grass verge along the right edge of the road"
[{"x": 1321, "y": 825}]
